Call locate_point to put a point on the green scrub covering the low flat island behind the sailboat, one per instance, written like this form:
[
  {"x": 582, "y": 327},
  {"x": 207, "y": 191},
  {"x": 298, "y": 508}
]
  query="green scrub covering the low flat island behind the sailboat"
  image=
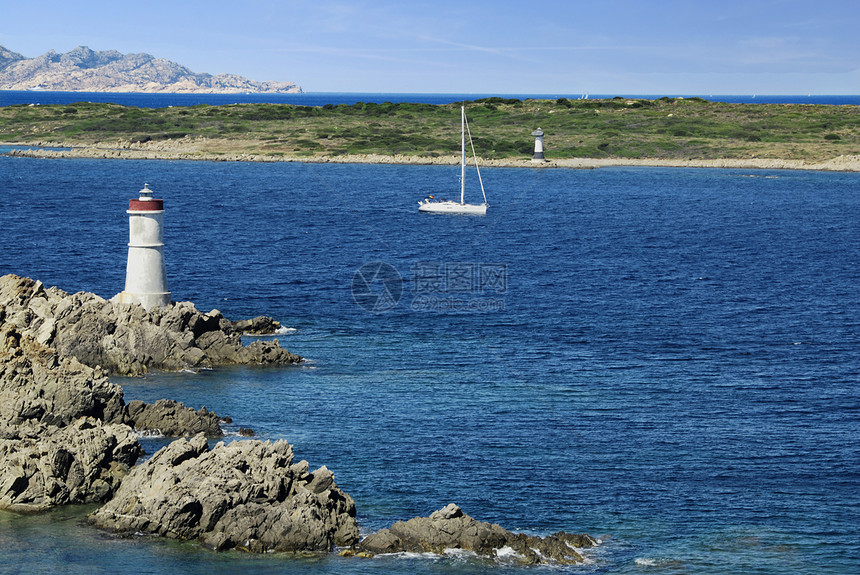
[{"x": 666, "y": 128}]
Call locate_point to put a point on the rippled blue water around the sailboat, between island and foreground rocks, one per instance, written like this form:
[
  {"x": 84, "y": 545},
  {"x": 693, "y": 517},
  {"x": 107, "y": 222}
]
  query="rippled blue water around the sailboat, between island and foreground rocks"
[{"x": 664, "y": 358}]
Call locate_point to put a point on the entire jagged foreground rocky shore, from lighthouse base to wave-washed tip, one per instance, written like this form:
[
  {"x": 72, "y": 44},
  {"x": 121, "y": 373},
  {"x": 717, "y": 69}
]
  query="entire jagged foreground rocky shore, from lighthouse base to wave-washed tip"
[{"x": 67, "y": 436}]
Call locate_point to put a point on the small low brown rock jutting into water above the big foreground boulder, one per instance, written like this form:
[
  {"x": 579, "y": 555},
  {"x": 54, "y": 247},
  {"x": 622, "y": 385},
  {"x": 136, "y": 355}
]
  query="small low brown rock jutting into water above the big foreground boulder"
[{"x": 172, "y": 419}]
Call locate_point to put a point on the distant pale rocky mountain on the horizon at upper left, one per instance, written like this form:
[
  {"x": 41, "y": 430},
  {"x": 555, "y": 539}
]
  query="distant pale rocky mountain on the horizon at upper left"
[{"x": 85, "y": 70}]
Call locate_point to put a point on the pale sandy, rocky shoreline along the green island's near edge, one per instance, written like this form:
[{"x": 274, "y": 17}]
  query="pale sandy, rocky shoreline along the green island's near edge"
[{"x": 201, "y": 150}]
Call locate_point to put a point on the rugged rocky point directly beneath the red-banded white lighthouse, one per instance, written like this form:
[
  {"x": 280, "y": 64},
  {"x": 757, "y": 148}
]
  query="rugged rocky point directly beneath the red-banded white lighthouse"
[{"x": 125, "y": 338}]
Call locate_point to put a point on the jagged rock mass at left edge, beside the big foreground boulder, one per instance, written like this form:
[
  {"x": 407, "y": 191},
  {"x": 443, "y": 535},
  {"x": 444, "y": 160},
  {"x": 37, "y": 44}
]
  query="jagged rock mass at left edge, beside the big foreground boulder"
[{"x": 42, "y": 466}]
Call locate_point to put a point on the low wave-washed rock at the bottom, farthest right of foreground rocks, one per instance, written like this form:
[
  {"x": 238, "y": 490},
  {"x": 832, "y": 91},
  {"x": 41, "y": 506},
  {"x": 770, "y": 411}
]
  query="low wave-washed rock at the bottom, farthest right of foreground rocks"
[{"x": 450, "y": 528}]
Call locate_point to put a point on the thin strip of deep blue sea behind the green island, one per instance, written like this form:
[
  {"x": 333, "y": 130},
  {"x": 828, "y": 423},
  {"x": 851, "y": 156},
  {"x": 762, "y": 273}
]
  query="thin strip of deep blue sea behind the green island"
[{"x": 12, "y": 97}]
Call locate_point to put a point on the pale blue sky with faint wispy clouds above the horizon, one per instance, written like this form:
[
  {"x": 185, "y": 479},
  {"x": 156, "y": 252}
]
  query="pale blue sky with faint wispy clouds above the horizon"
[{"x": 661, "y": 47}]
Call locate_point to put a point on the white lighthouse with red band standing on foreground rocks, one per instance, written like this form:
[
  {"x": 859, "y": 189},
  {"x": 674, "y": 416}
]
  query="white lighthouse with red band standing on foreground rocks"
[{"x": 145, "y": 279}]
